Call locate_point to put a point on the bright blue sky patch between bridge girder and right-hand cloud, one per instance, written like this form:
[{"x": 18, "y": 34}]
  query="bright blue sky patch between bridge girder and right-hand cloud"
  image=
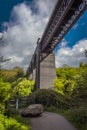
[{"x": 77, "y": 32}]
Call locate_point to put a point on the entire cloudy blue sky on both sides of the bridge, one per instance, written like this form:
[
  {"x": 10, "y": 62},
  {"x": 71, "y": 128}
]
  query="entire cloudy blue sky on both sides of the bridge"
[{"x": 23, "y": 22}]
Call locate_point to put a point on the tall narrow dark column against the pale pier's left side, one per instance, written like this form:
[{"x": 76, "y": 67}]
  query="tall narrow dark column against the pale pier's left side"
[{"x": 37, "y": 86}]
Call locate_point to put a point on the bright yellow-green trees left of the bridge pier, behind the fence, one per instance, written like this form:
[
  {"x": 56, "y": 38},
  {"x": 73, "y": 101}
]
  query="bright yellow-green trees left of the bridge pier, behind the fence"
[{"x": 16, "y": 87}]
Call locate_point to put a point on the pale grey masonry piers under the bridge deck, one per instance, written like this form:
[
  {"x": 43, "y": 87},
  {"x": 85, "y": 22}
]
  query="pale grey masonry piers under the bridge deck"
[{"x": 47, "y": 72}]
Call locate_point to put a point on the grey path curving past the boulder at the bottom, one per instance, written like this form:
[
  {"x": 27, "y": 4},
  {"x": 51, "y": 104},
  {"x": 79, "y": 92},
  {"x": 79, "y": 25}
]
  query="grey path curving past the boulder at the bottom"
[{"x": 51, "y": 121}]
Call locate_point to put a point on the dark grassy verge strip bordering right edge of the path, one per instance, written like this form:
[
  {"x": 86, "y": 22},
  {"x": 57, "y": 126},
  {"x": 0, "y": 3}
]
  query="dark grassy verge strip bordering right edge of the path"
[{"x": 77, "y": 116}]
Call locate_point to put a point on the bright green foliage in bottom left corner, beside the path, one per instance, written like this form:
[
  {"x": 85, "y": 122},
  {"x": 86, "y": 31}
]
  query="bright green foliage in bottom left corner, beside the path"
[{"x": 11, "y": 124}]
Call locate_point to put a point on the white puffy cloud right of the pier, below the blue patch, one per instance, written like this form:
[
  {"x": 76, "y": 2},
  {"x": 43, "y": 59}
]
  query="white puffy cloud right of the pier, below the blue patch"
[{"x": 71, "y": 56}]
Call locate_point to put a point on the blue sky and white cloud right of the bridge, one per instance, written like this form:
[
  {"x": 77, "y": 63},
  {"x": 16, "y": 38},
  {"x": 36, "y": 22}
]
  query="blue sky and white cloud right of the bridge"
[{"x": 71, "y": 49}]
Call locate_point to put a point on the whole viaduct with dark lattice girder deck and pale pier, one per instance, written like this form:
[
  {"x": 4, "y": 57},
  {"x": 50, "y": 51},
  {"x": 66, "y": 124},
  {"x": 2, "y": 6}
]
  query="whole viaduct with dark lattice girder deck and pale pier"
[{"x": 42, "y": 65}]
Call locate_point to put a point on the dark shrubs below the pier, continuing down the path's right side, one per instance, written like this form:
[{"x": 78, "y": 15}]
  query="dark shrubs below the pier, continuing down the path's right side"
[{"x": 74, "y": 109}]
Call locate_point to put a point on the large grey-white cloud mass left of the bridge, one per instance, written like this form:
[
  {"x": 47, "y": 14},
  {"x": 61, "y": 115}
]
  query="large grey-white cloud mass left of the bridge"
[{"x": 23, "y": 29}]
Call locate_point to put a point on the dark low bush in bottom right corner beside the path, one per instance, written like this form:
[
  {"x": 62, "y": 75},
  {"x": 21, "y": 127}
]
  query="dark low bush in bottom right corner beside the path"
[{"x": 78, "y": 117}]
